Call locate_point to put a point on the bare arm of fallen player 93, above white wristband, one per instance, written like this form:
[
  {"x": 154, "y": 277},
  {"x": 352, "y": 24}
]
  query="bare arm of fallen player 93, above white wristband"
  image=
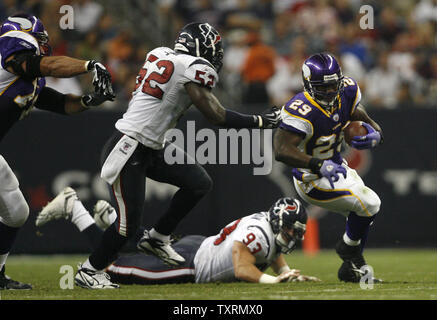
[{"x": 244, "y": 263}]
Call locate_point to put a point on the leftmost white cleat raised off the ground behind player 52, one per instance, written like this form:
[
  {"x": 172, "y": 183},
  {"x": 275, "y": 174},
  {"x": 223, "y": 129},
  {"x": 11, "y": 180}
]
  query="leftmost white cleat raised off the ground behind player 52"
[{"x": 60, "y": 207}]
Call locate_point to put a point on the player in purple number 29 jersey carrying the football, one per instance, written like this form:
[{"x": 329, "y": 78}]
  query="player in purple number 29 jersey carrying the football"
[{"x": 310, "y": 139}]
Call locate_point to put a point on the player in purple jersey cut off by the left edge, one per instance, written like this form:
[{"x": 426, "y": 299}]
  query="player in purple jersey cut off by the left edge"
[{"x": 25, "y": 61}]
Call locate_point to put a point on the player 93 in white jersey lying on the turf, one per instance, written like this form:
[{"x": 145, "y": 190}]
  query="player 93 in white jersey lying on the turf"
[{"x": 242, "y": 250}]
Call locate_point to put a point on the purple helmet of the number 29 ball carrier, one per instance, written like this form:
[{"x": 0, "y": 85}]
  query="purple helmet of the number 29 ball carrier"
[{"x": 323, "y": 79}]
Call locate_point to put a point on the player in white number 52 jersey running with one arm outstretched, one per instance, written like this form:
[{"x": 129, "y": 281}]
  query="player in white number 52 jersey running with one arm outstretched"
[{"x": 170, "y": 81}]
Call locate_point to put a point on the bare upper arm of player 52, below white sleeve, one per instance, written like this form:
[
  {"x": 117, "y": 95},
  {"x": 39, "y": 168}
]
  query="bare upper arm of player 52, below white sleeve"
[{"x": 207, "y": 103}]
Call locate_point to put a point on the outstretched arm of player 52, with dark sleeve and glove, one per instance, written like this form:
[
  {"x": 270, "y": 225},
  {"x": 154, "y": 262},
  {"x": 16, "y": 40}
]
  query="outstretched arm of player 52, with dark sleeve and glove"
[{"x": 215, "y": 113}]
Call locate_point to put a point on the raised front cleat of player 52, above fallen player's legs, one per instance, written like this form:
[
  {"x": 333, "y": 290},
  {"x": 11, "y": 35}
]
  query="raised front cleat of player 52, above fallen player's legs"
[{"x": 160, "y": 249}]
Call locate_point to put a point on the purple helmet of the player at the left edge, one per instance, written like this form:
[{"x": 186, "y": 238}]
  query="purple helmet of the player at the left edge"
[{"x": 29, "y": 24}]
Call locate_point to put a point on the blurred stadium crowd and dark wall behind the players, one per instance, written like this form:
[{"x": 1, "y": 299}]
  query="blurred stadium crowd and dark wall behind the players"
[{"x": 266, "y": 42}]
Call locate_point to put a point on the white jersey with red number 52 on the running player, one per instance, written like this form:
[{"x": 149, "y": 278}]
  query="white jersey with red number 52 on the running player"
[{"x": 160, "y": 99}]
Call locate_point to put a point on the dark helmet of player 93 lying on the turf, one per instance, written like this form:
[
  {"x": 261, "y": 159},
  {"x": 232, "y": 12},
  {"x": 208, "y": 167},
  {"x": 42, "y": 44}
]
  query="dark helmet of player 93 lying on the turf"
[{"x": 288, "y": 219}]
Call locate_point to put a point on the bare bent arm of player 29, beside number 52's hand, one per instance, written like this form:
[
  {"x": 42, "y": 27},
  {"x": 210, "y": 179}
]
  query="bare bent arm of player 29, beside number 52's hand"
[{"x": 285, "y": 146}]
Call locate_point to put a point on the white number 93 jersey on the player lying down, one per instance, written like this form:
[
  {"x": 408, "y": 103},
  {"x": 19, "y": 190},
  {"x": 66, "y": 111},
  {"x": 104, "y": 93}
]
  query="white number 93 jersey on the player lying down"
[{"x": 213, "y": 260}]
